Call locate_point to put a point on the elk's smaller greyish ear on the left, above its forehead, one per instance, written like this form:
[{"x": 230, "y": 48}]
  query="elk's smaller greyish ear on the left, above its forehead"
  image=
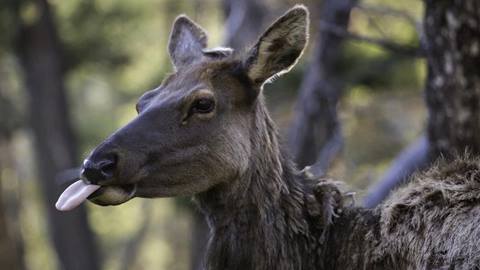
[{"x": 187, "y": 41}]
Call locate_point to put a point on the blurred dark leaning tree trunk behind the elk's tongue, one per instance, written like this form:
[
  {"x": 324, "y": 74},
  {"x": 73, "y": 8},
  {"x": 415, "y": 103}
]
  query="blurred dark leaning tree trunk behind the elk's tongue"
[{"x": 39, "y": 49}]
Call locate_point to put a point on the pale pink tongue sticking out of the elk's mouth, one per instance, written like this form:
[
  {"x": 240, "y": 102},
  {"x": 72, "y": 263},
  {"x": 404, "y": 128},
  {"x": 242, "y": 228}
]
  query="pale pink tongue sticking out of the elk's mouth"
[{"x": 74, "y": 195}]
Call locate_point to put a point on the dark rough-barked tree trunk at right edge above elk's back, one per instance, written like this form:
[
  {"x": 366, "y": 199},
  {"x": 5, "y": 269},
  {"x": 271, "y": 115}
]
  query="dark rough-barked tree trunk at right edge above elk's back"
[{"x": 452, "y": 30}]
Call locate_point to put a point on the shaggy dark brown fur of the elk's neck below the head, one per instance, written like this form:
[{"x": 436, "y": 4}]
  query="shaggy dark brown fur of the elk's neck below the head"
[{"x": 269, "y": 217}]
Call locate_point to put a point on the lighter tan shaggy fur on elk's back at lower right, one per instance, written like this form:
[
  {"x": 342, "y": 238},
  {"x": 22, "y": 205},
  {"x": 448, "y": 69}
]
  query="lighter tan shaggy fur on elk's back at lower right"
[{"x": 434, "y": 222}]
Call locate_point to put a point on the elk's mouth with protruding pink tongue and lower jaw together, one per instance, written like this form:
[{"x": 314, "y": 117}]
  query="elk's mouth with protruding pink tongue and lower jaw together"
[{"x": 80, "y": 191}]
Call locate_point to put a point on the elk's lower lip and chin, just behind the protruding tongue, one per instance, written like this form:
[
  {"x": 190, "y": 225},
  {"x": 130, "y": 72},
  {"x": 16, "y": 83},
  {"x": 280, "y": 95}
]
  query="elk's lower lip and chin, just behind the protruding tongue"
[{"x": 113, "y": 195}]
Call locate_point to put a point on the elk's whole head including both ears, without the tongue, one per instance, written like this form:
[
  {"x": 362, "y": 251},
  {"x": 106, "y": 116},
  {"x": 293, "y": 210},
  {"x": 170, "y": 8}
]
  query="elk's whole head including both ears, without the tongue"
[{"x": 193, "y": 131}]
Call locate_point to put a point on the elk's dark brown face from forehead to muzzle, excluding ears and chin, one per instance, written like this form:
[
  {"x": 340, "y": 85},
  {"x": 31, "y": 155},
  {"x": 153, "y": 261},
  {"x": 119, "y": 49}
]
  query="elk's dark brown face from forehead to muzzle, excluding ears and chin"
[{"x": 190, "y": 134}]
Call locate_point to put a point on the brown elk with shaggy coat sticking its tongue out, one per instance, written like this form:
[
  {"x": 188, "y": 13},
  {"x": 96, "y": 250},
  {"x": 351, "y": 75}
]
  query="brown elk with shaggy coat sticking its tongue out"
[{"x": 206, "y": 132}]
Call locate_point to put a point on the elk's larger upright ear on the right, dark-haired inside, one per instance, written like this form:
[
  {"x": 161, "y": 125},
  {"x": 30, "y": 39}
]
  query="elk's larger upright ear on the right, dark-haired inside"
[{"x": 279, "y": 48}]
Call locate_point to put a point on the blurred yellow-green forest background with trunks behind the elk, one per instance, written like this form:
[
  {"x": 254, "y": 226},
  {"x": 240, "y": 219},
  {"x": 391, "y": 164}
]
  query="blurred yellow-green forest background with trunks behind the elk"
[{"x": 71, "y": 72}]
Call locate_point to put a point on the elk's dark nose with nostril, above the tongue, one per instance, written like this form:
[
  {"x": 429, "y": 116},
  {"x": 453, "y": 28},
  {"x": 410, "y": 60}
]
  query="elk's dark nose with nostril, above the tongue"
[{"x": 99, "y": 171}]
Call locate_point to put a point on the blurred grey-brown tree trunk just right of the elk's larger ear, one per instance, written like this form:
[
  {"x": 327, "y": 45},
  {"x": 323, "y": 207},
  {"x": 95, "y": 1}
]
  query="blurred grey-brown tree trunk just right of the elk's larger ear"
[{"x": 315, "y": 134}]
